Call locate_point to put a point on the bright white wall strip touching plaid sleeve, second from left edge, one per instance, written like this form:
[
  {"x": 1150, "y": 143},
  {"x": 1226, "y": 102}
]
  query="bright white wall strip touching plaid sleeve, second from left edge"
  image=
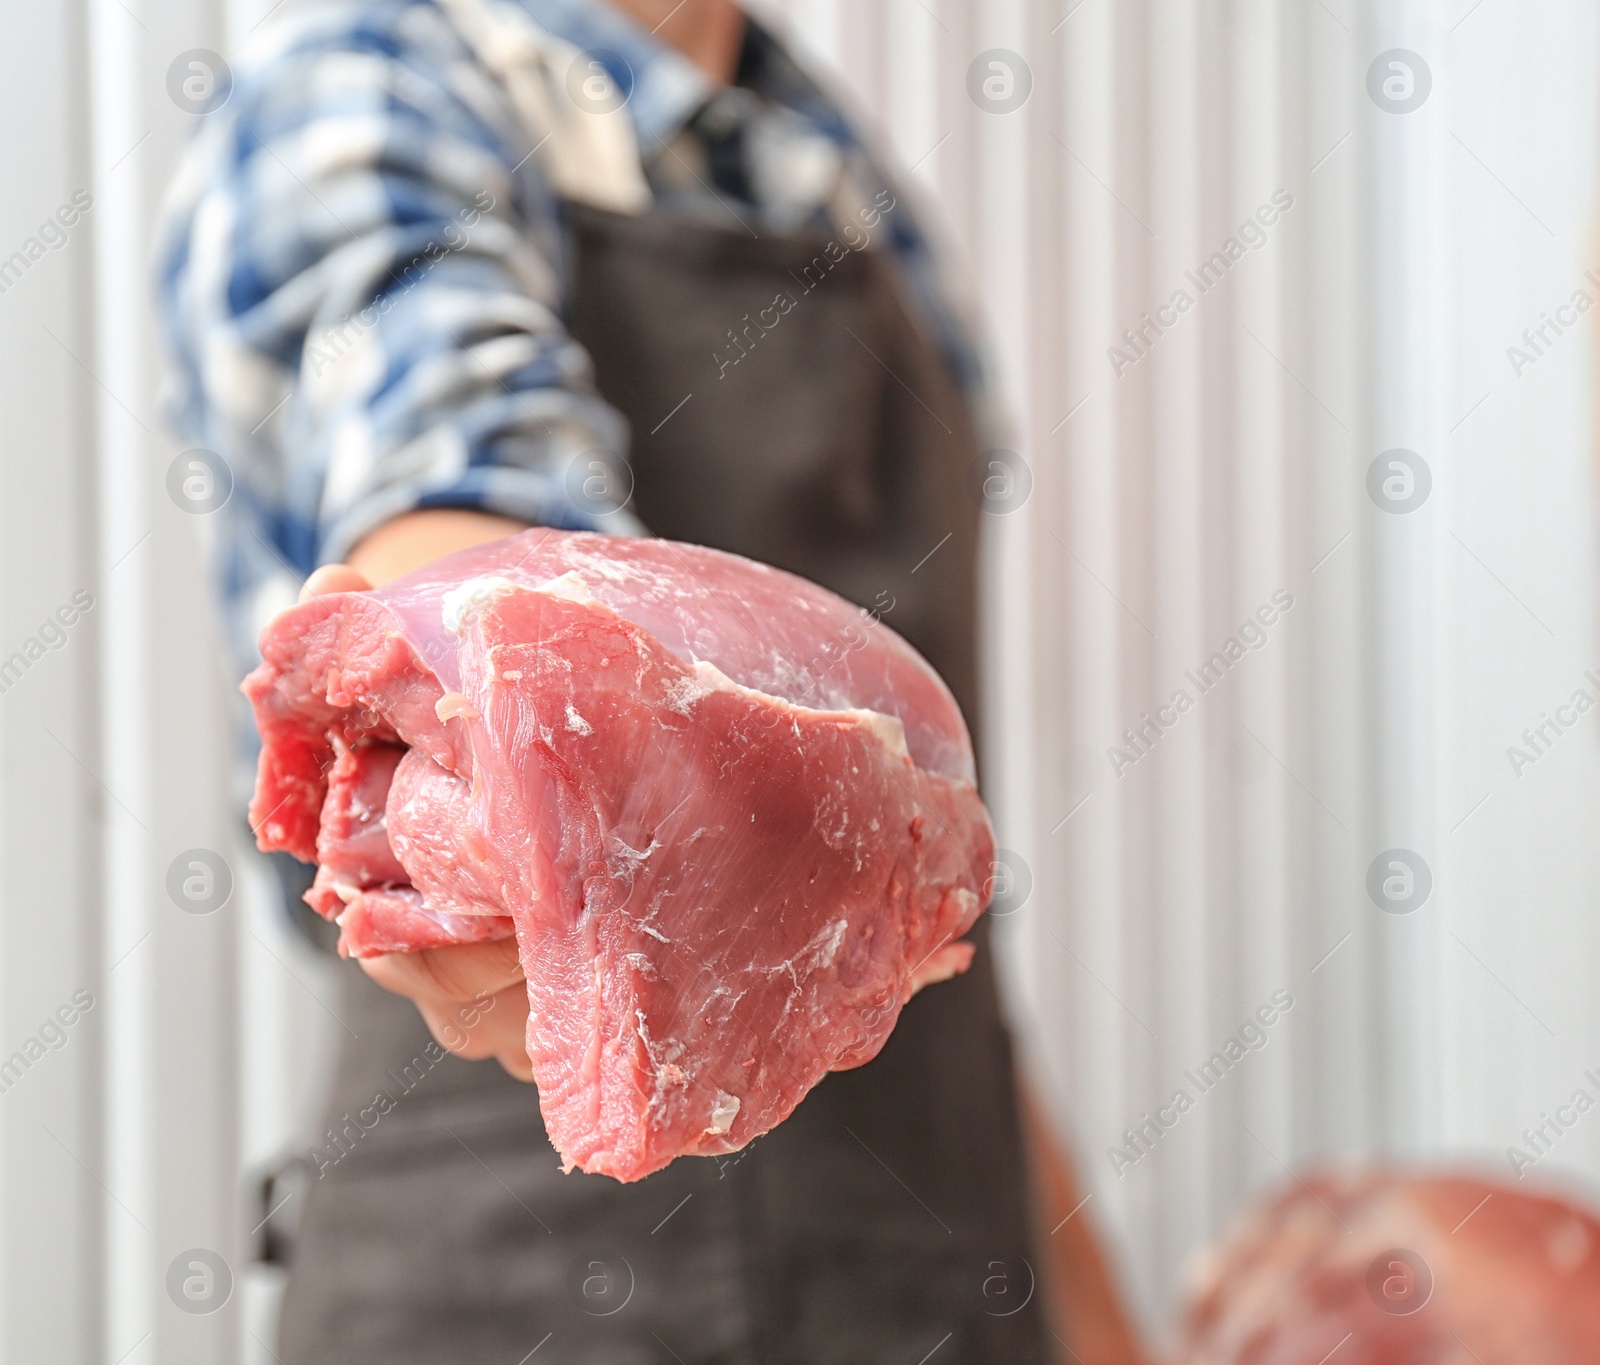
[{"x": 174, "y": 1007}]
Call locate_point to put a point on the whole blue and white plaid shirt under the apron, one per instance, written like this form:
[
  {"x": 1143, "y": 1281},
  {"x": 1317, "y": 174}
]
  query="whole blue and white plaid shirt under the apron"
[{"x": 364, "y": 271}]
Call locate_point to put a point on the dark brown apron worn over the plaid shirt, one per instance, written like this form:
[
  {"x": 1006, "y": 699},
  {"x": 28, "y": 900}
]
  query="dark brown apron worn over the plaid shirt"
[{"x": 887, "y": 1219}]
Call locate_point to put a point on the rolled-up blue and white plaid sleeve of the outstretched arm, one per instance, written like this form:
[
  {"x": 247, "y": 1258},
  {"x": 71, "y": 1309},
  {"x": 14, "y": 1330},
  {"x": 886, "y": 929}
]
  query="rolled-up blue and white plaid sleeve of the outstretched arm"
[{"x": 362, "y": 284}]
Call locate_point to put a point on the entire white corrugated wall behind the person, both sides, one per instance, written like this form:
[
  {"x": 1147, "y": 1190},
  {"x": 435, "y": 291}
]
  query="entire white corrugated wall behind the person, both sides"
[{"x": 1170, "y": 503}]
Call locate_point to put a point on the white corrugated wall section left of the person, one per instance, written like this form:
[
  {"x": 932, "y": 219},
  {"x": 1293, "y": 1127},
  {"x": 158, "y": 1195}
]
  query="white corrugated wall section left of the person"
[{"x": 199, "y": 1055}]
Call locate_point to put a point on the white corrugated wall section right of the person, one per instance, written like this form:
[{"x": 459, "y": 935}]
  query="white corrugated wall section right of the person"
[{"x": 1228, "y": 465}]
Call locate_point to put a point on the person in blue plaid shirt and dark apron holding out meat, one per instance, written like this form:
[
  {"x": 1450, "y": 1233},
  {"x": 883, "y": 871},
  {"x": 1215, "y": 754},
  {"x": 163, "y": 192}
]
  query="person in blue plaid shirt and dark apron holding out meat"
[{"x": 439, "y": 271}]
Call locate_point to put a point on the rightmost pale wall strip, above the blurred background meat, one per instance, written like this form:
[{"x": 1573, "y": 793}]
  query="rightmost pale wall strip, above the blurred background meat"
[{"x": 1516, "y": 582}]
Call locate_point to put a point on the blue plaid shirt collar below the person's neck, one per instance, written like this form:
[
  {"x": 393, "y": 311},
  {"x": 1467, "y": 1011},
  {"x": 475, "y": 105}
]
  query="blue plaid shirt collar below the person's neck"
[{"x": 668, "y": 89}]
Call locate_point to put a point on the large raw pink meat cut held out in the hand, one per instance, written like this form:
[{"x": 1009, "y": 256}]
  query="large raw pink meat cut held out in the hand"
[{"x": 726, "y": 814}]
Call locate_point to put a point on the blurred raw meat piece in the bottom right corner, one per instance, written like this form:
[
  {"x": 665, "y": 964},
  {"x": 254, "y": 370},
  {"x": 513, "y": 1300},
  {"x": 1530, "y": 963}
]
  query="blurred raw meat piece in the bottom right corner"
[{"x": 1399, "y": 1270}]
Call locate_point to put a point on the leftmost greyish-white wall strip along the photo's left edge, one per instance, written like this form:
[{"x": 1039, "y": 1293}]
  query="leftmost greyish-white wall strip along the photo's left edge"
[{"x": 54, "y": 1142}]
